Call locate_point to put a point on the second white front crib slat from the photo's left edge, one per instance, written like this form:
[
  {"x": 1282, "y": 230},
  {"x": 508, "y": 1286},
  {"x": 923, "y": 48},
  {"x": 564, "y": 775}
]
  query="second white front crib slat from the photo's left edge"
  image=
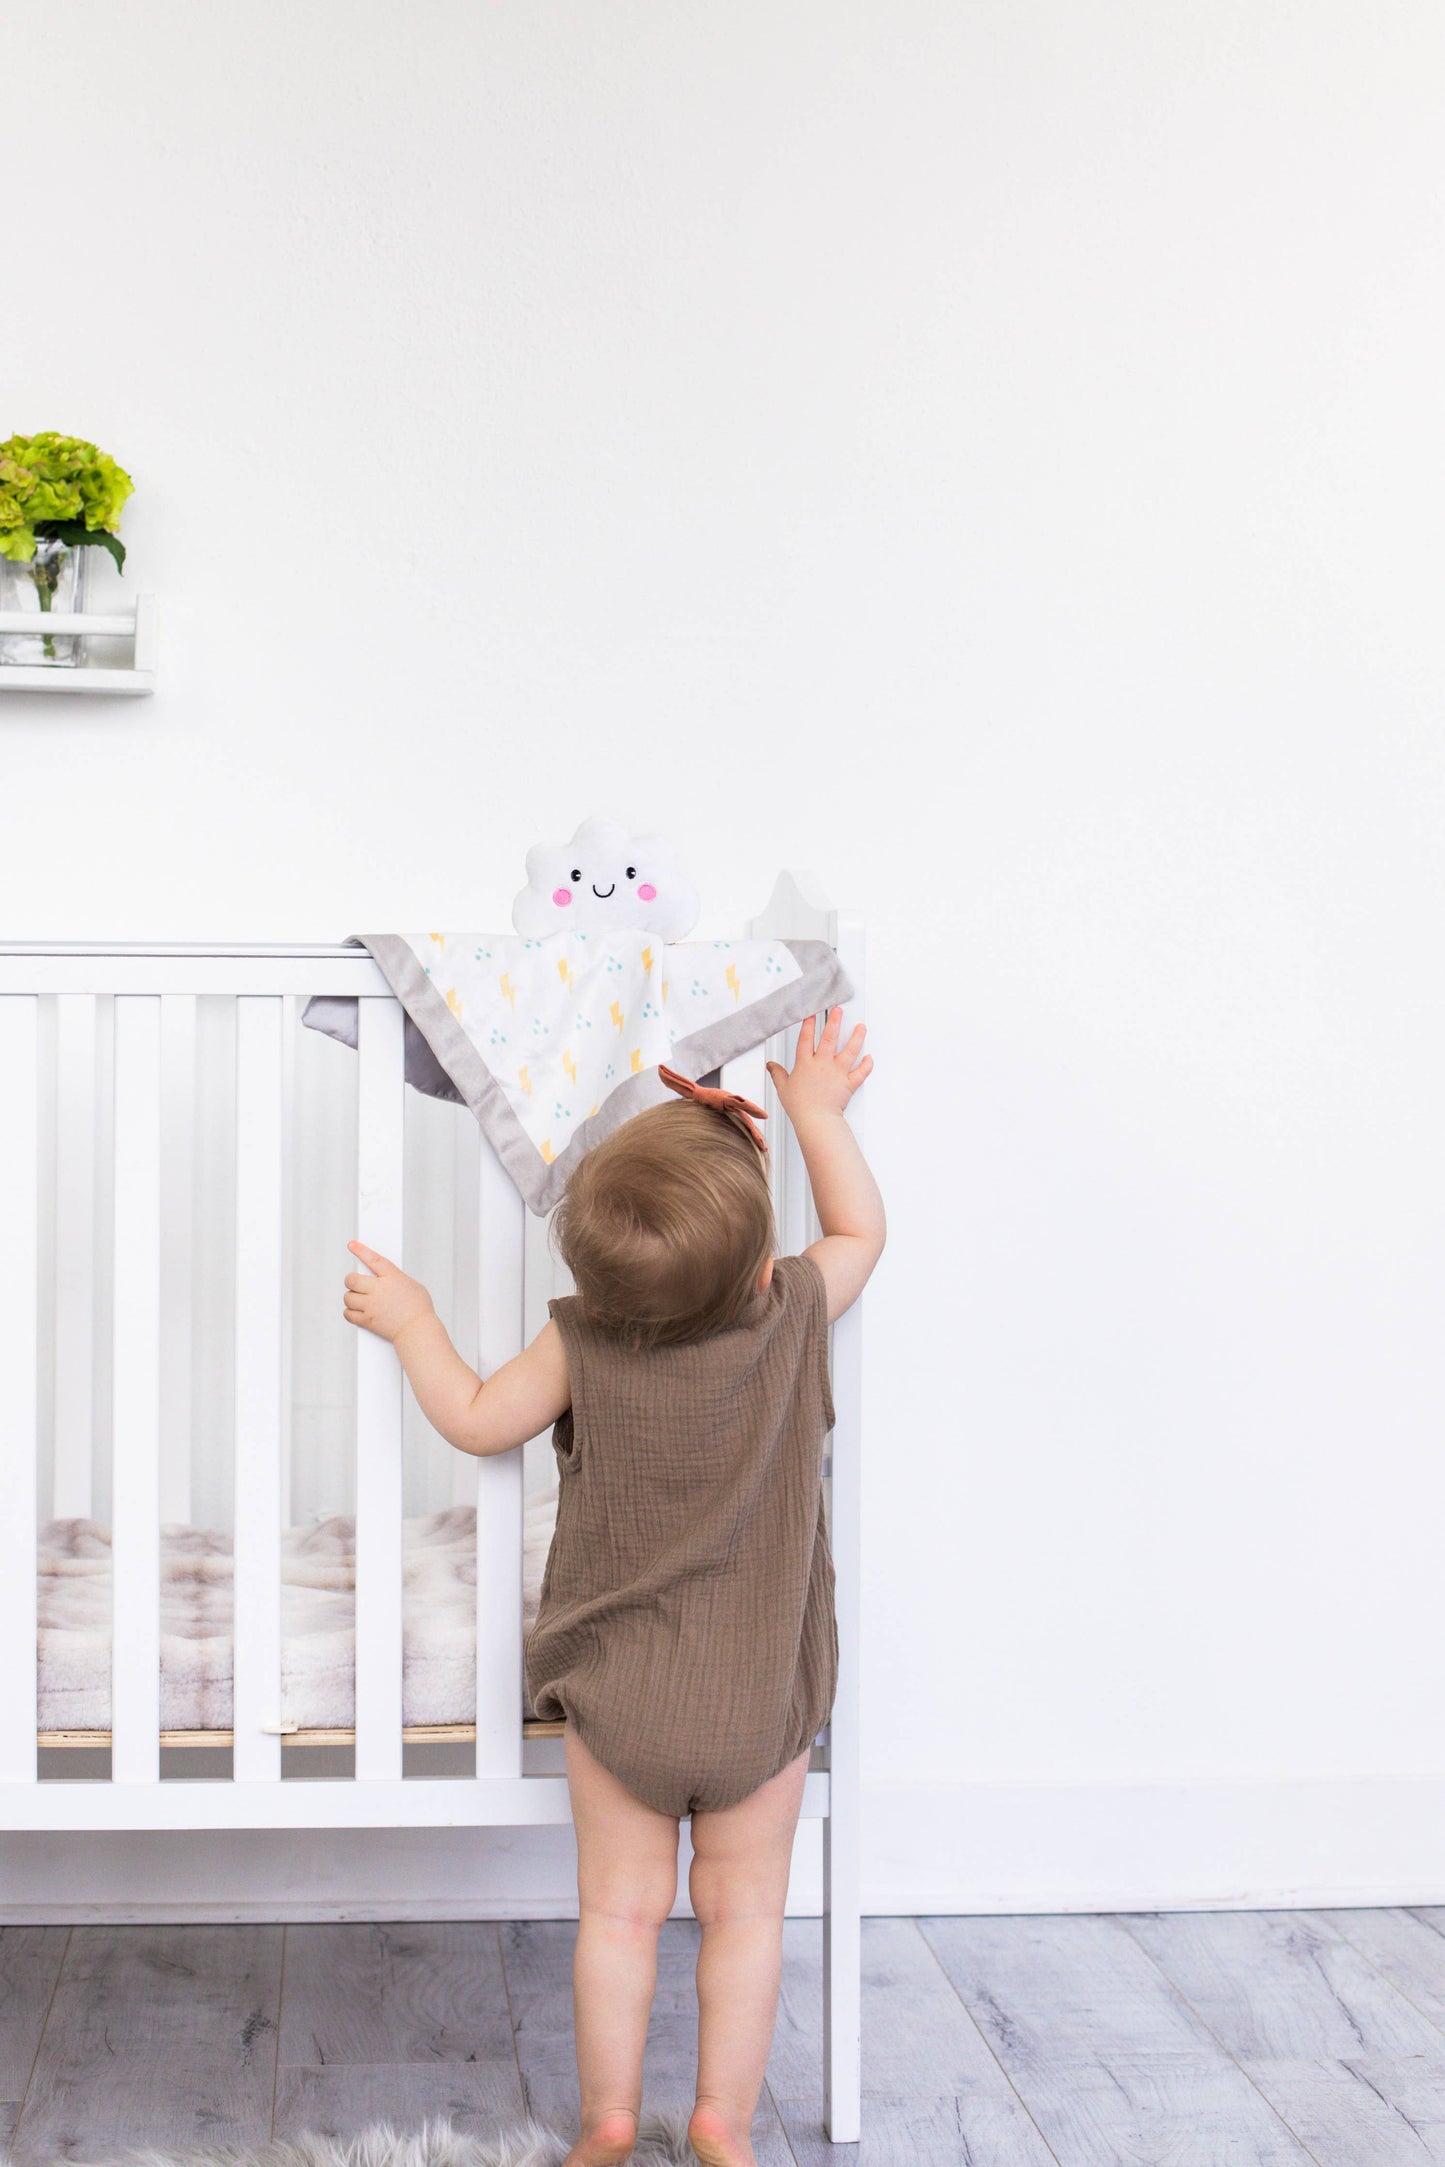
[{"x": 135, "y": 1514}]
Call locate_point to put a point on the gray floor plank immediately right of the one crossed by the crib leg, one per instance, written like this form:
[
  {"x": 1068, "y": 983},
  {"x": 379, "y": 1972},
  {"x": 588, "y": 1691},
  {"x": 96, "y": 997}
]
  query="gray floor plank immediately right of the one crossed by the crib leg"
[{"x": 1104, "y": 2051}]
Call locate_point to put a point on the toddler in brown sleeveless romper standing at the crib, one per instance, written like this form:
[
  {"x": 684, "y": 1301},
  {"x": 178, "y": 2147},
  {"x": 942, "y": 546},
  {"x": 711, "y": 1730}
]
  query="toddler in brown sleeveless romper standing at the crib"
[{"x": 686, "y": 1631}]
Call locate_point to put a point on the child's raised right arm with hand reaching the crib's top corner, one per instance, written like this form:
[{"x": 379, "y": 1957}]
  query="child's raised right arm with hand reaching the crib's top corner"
[{"x": 850, "y": 1210}]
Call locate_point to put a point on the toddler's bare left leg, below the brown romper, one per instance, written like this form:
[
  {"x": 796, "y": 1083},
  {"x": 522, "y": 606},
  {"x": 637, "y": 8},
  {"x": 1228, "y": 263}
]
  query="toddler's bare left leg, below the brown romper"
[{"x": 627, "y": 1878}]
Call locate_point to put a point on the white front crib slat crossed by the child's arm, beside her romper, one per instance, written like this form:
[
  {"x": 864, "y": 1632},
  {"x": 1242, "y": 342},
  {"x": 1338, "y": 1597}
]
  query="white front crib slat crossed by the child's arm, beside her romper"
[{"x": 499, "y": 1481}]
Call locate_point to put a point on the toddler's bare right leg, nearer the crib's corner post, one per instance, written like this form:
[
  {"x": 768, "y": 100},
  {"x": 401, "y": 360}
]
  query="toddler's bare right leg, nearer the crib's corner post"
[{"x": 740, "y": 1884}]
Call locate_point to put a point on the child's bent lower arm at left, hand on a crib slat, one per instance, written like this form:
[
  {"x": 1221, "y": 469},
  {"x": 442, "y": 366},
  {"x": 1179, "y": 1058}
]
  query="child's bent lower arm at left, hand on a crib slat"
[{"x": 525, "y": 1397}]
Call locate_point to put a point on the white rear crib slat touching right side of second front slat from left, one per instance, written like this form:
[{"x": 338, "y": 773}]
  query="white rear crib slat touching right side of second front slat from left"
[{"x": 179, "y": 1249}]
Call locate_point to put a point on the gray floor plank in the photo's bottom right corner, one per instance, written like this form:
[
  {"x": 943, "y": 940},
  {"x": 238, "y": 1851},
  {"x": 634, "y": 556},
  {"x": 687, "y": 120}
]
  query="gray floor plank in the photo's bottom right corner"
[{"x": 1362, "y": 2114}]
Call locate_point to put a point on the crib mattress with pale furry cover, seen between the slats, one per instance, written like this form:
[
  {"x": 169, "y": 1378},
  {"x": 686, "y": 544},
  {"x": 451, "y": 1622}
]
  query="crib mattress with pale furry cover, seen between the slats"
[{"x": 317, "y": 1622}]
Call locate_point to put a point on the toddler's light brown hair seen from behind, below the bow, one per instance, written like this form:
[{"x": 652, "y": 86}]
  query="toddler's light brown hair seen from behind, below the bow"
[{"x": 666, "y": 1225}]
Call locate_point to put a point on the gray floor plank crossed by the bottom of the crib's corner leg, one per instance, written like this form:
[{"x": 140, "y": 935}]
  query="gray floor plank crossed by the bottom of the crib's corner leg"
[{"x": 933, "y": 2088}]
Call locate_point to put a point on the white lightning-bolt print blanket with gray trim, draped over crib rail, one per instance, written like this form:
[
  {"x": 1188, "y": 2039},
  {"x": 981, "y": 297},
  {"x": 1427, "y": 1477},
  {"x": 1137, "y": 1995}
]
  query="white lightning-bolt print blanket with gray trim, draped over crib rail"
[{"x": 554, "y": 1041}]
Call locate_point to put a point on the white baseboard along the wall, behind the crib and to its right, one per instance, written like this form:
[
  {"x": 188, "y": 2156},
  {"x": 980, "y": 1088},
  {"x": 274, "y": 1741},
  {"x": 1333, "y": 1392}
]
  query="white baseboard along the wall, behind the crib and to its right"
[{"x": 928, "y": 1847}]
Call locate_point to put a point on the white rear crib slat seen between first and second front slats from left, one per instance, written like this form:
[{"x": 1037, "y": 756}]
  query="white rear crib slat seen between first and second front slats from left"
[{"x": 75, "y": 1256}]
